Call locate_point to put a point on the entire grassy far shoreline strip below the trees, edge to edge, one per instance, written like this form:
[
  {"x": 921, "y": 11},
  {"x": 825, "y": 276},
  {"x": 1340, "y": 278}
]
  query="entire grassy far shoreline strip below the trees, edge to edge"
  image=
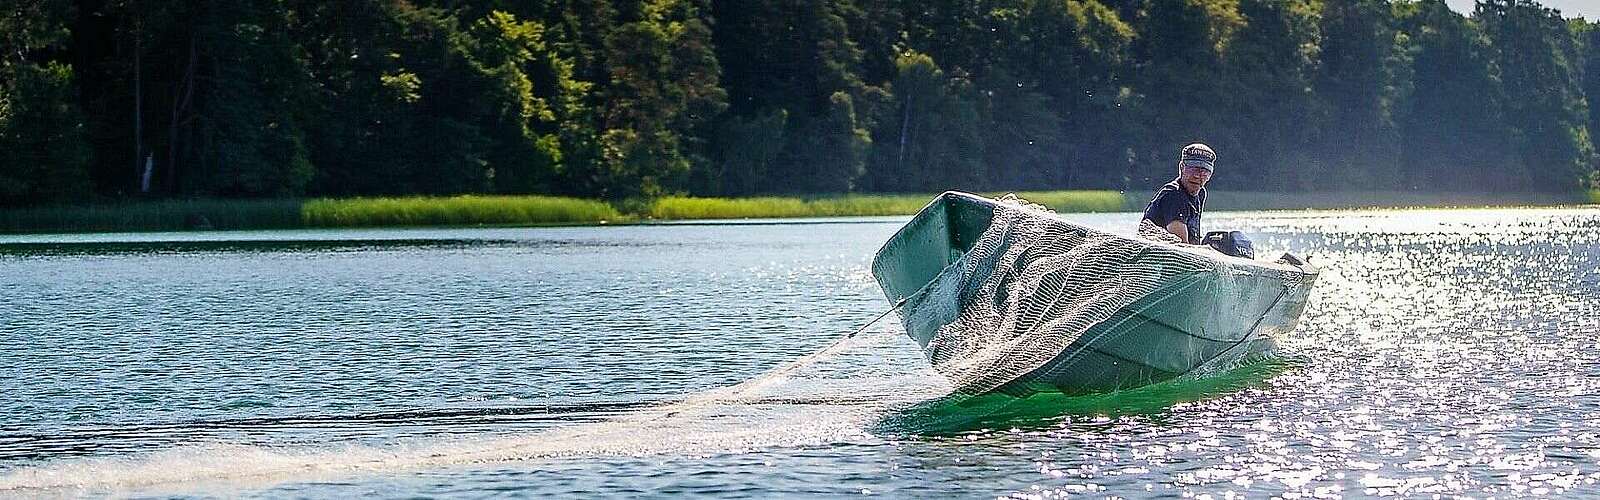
[{"x": 543, "y": 211}]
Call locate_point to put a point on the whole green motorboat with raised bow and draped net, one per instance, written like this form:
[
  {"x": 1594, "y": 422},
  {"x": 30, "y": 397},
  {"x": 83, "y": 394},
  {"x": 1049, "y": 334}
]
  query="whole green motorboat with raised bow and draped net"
[{"x": 1007, "y": 297}]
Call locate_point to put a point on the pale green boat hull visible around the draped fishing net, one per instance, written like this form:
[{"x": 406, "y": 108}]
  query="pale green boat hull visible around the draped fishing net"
[{"x": 1188, "y": 321}]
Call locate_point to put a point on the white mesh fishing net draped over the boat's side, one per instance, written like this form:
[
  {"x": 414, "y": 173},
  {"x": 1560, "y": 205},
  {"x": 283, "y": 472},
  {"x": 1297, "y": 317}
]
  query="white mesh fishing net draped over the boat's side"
[{"x": 1031, "y": 288}]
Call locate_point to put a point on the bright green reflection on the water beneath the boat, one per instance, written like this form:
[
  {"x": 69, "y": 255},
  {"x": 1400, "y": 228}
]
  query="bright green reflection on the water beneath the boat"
[{"x": 961, "y": 414}]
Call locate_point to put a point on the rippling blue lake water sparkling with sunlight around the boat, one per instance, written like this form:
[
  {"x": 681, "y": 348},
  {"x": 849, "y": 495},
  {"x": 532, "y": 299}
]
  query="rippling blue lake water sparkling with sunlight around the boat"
[{"x": 1442, "y": 353}]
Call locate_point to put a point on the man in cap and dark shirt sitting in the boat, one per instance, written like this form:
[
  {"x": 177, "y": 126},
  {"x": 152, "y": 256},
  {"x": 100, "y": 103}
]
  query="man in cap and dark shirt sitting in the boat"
[{"x": 1177, "y": 206}]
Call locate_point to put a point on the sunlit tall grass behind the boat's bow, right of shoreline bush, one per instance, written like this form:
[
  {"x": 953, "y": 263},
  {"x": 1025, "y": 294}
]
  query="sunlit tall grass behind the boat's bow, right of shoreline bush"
[{"x": 858, "y": 206}]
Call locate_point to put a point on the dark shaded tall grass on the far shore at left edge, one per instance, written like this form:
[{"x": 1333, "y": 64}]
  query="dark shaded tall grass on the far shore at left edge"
[{"x": 164, "y": 216}]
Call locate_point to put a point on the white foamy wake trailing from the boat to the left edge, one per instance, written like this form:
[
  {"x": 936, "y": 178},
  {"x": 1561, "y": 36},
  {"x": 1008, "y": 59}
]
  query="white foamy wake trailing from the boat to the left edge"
[{"x": 828, "y": 398}]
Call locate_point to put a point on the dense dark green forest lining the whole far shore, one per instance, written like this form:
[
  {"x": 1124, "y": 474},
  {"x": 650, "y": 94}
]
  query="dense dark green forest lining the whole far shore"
[{"x": 628, "y": 99}]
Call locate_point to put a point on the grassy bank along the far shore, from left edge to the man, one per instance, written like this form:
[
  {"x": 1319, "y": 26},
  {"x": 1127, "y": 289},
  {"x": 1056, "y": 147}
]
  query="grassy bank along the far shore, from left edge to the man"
[{"x": 474, "y": 211}]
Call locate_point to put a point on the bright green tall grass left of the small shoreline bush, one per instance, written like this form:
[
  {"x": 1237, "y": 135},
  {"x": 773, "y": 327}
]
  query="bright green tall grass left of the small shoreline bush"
[{"x": 462, "y": 211}]
